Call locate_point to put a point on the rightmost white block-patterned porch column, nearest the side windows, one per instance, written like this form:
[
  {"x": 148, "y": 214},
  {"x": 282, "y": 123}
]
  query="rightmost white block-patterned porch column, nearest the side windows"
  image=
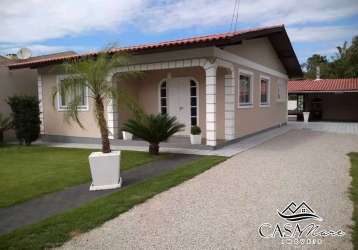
[{"x": 229, "y": 106}]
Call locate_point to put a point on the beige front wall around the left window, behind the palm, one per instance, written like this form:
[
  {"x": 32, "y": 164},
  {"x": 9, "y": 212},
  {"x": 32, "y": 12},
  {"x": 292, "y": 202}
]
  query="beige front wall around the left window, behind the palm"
[{"x": 54, "y": 122}]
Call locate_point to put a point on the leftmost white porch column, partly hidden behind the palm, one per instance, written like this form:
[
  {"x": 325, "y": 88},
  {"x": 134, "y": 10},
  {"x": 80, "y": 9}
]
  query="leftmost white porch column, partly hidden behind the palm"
[{"x": 112, "y": 115}]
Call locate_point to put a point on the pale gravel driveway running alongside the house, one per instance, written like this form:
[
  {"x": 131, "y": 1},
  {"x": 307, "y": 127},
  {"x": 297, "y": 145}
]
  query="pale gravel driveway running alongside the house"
[{"x": 224, "y": 207}]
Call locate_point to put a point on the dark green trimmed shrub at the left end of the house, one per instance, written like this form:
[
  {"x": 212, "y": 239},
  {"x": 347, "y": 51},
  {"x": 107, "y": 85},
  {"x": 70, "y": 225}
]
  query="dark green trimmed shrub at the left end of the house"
[{"x": 26, "y": 117}]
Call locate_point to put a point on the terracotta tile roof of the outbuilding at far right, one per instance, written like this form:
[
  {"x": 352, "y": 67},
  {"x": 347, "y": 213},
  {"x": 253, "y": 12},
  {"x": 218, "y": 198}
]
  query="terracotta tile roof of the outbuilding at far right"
[{"x": 322, "y": 85}]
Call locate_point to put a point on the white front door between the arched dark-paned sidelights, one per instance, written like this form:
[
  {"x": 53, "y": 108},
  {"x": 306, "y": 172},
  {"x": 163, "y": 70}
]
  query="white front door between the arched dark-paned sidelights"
[{"x": 179, "y": 102}]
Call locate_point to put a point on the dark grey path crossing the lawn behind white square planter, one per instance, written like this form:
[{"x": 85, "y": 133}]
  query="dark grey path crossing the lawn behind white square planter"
[{"x": 54, "y": 203}]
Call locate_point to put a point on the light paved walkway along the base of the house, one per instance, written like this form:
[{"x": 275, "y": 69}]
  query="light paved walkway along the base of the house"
[{"x": 228, "y": 151}]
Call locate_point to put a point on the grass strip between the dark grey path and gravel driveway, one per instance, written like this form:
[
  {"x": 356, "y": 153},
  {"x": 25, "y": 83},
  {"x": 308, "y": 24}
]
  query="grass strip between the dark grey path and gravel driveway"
[{"x": 58, "y": 229}]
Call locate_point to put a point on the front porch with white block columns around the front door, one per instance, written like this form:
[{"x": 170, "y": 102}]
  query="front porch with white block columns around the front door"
[{"x": 196, "y": 91}]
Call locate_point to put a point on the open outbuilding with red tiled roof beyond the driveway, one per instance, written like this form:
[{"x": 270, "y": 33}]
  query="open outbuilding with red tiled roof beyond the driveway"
[{"x": 325, "y": 99}]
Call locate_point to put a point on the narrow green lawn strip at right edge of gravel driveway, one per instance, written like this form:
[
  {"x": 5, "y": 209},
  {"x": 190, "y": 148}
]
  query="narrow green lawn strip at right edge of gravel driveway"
[{"x": 354, "y": 196}]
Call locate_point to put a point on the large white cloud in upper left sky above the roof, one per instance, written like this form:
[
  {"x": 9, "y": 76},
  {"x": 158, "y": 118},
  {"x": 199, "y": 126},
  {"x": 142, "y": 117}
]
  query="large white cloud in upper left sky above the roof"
[{"x": 38, "y": 20}]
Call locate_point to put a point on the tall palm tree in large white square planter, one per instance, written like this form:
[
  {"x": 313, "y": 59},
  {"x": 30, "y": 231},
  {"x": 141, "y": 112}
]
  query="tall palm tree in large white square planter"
[{"x": 104, "y": 165}]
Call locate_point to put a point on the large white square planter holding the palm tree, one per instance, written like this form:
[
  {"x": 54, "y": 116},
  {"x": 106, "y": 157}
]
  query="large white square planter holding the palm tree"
[{"x": 105, "y": 170}]
